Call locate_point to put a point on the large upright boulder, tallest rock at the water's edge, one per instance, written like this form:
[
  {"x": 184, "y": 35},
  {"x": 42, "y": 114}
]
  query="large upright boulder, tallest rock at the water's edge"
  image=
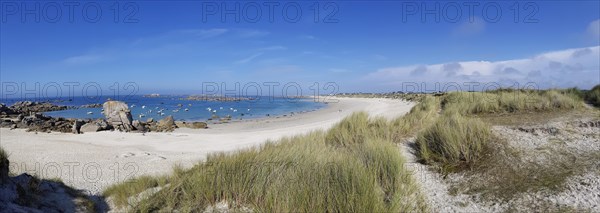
[{"x": 118, "y": 115}]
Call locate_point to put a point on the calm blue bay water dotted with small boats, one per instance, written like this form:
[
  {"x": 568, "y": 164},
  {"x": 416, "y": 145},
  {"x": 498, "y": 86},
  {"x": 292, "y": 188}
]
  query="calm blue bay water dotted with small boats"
[{"x": 197, "y": 110}]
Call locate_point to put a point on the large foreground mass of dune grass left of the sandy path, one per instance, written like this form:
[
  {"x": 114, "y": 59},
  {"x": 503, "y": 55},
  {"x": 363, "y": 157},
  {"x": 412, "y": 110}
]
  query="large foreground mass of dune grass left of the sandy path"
[{"x": 353, "y": 167}]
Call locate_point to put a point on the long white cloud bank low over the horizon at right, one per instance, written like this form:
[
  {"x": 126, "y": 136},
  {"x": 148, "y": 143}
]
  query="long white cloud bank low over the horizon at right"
[{"x": 564, "y": 68}]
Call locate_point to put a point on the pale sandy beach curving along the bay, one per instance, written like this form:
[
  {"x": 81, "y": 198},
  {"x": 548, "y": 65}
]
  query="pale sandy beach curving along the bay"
[{"x": 93, "y": 161}]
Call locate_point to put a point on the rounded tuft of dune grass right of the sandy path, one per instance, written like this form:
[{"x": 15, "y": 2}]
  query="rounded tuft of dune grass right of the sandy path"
[{"x": 454, "y": 142}]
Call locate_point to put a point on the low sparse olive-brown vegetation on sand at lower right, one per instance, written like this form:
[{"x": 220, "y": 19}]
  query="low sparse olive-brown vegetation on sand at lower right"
[{"x": 509, "y": 171}]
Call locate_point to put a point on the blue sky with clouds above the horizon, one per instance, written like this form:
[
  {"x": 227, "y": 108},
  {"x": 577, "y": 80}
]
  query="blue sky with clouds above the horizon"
[{"x": 368, "y": 47}]
